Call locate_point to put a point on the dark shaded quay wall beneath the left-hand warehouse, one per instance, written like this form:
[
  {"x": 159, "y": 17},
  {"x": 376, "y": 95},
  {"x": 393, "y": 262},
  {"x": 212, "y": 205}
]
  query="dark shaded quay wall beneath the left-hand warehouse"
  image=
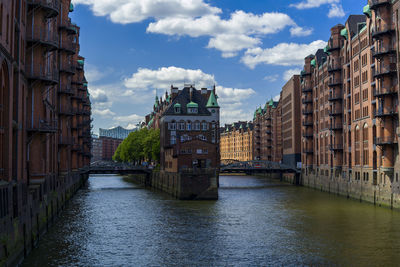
[{"x": 38, "y": 209}]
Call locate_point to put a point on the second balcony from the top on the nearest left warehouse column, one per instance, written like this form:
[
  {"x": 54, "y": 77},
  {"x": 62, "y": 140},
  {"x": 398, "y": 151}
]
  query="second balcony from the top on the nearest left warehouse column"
[{"x": 44, "y": 37}]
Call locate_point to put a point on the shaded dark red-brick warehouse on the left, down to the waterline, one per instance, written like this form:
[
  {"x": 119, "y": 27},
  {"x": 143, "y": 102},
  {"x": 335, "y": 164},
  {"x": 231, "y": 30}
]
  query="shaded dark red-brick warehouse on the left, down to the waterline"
[{"x": 44, "y": 119}]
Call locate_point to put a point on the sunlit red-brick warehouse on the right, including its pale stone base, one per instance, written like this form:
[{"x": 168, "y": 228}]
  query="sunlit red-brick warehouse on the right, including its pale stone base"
[{"x": 350, "y": 106}]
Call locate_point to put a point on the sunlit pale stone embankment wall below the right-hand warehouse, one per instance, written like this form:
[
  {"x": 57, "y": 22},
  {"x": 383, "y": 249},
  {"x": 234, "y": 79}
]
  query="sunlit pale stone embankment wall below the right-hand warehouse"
[{"x": 380, "y": 194}]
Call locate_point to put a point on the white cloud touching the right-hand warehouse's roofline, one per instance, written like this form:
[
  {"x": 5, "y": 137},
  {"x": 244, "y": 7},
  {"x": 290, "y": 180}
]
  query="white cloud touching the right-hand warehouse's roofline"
[{"x": 283, "y": 54}]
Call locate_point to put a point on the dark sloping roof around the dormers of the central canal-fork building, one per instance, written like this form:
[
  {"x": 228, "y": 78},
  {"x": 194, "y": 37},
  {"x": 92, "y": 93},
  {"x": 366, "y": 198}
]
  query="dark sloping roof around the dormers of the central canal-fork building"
[{"x": 183, "y": 99}]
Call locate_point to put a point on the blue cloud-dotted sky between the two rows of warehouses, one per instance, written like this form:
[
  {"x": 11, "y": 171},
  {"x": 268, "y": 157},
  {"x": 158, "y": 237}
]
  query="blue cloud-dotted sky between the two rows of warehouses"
[{"x": 248, "y": 48}]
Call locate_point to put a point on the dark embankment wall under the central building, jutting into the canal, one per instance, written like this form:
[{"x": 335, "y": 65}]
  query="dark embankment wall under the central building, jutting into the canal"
[{"x": 198, "y": 185}]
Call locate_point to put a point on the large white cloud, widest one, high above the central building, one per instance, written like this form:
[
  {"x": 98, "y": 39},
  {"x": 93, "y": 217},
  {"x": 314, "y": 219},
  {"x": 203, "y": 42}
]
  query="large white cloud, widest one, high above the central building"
[{"x": 241, "y": 31}]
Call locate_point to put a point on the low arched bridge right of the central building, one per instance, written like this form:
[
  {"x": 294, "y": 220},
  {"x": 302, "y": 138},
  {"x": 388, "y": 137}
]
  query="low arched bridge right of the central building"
[{"x": 257, "y": 166}]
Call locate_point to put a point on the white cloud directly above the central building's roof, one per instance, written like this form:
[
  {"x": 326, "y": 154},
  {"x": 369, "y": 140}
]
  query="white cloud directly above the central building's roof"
[{"x": 164, "y": 77}]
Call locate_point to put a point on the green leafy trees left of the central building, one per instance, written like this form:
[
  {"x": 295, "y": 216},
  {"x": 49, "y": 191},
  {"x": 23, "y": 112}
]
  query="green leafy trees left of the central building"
[{"x": 141, "y": 145}]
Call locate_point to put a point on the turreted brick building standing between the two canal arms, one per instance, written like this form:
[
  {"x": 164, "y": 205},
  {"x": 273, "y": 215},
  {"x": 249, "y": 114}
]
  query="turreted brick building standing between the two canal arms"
[{"x": 188, "y": 120}]
